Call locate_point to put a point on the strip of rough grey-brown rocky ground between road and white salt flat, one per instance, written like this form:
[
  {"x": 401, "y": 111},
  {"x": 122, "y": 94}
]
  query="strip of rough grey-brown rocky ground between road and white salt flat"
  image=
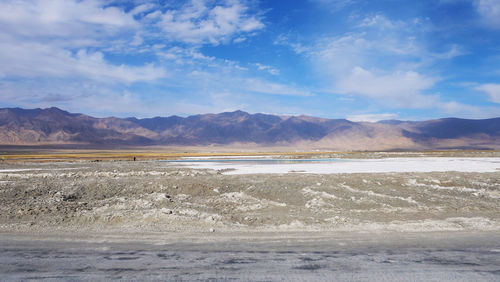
[{"x": 131, "y": 196}]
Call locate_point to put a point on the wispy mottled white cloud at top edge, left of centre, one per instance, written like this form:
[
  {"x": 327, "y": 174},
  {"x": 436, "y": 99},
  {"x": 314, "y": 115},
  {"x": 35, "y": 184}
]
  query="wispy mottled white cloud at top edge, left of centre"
[{"x": 199, "y": 23}]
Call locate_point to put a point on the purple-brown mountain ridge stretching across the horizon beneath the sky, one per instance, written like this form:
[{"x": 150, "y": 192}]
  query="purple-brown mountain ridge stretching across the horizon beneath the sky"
[{"x": 55, "y": 126}]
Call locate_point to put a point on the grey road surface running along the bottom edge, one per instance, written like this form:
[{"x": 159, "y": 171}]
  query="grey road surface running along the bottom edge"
[{"x": 452, "y": 257}]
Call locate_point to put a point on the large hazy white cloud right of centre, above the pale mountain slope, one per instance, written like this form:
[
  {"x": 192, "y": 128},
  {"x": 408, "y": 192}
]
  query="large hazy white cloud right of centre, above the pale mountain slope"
[{"x": 380, "y": 61}]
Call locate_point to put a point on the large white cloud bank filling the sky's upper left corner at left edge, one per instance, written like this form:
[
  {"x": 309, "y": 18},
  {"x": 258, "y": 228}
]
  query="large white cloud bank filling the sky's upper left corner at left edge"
[{"x": 53, "y": 39}]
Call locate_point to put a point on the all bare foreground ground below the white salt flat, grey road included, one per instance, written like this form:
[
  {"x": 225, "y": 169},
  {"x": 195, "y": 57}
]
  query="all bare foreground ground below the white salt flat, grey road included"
[{"x": 260, "y": 221}]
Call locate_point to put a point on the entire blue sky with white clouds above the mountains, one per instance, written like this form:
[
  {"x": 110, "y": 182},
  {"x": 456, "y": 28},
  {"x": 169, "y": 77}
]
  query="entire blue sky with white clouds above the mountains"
[{"x": 360, "y": 60}]
